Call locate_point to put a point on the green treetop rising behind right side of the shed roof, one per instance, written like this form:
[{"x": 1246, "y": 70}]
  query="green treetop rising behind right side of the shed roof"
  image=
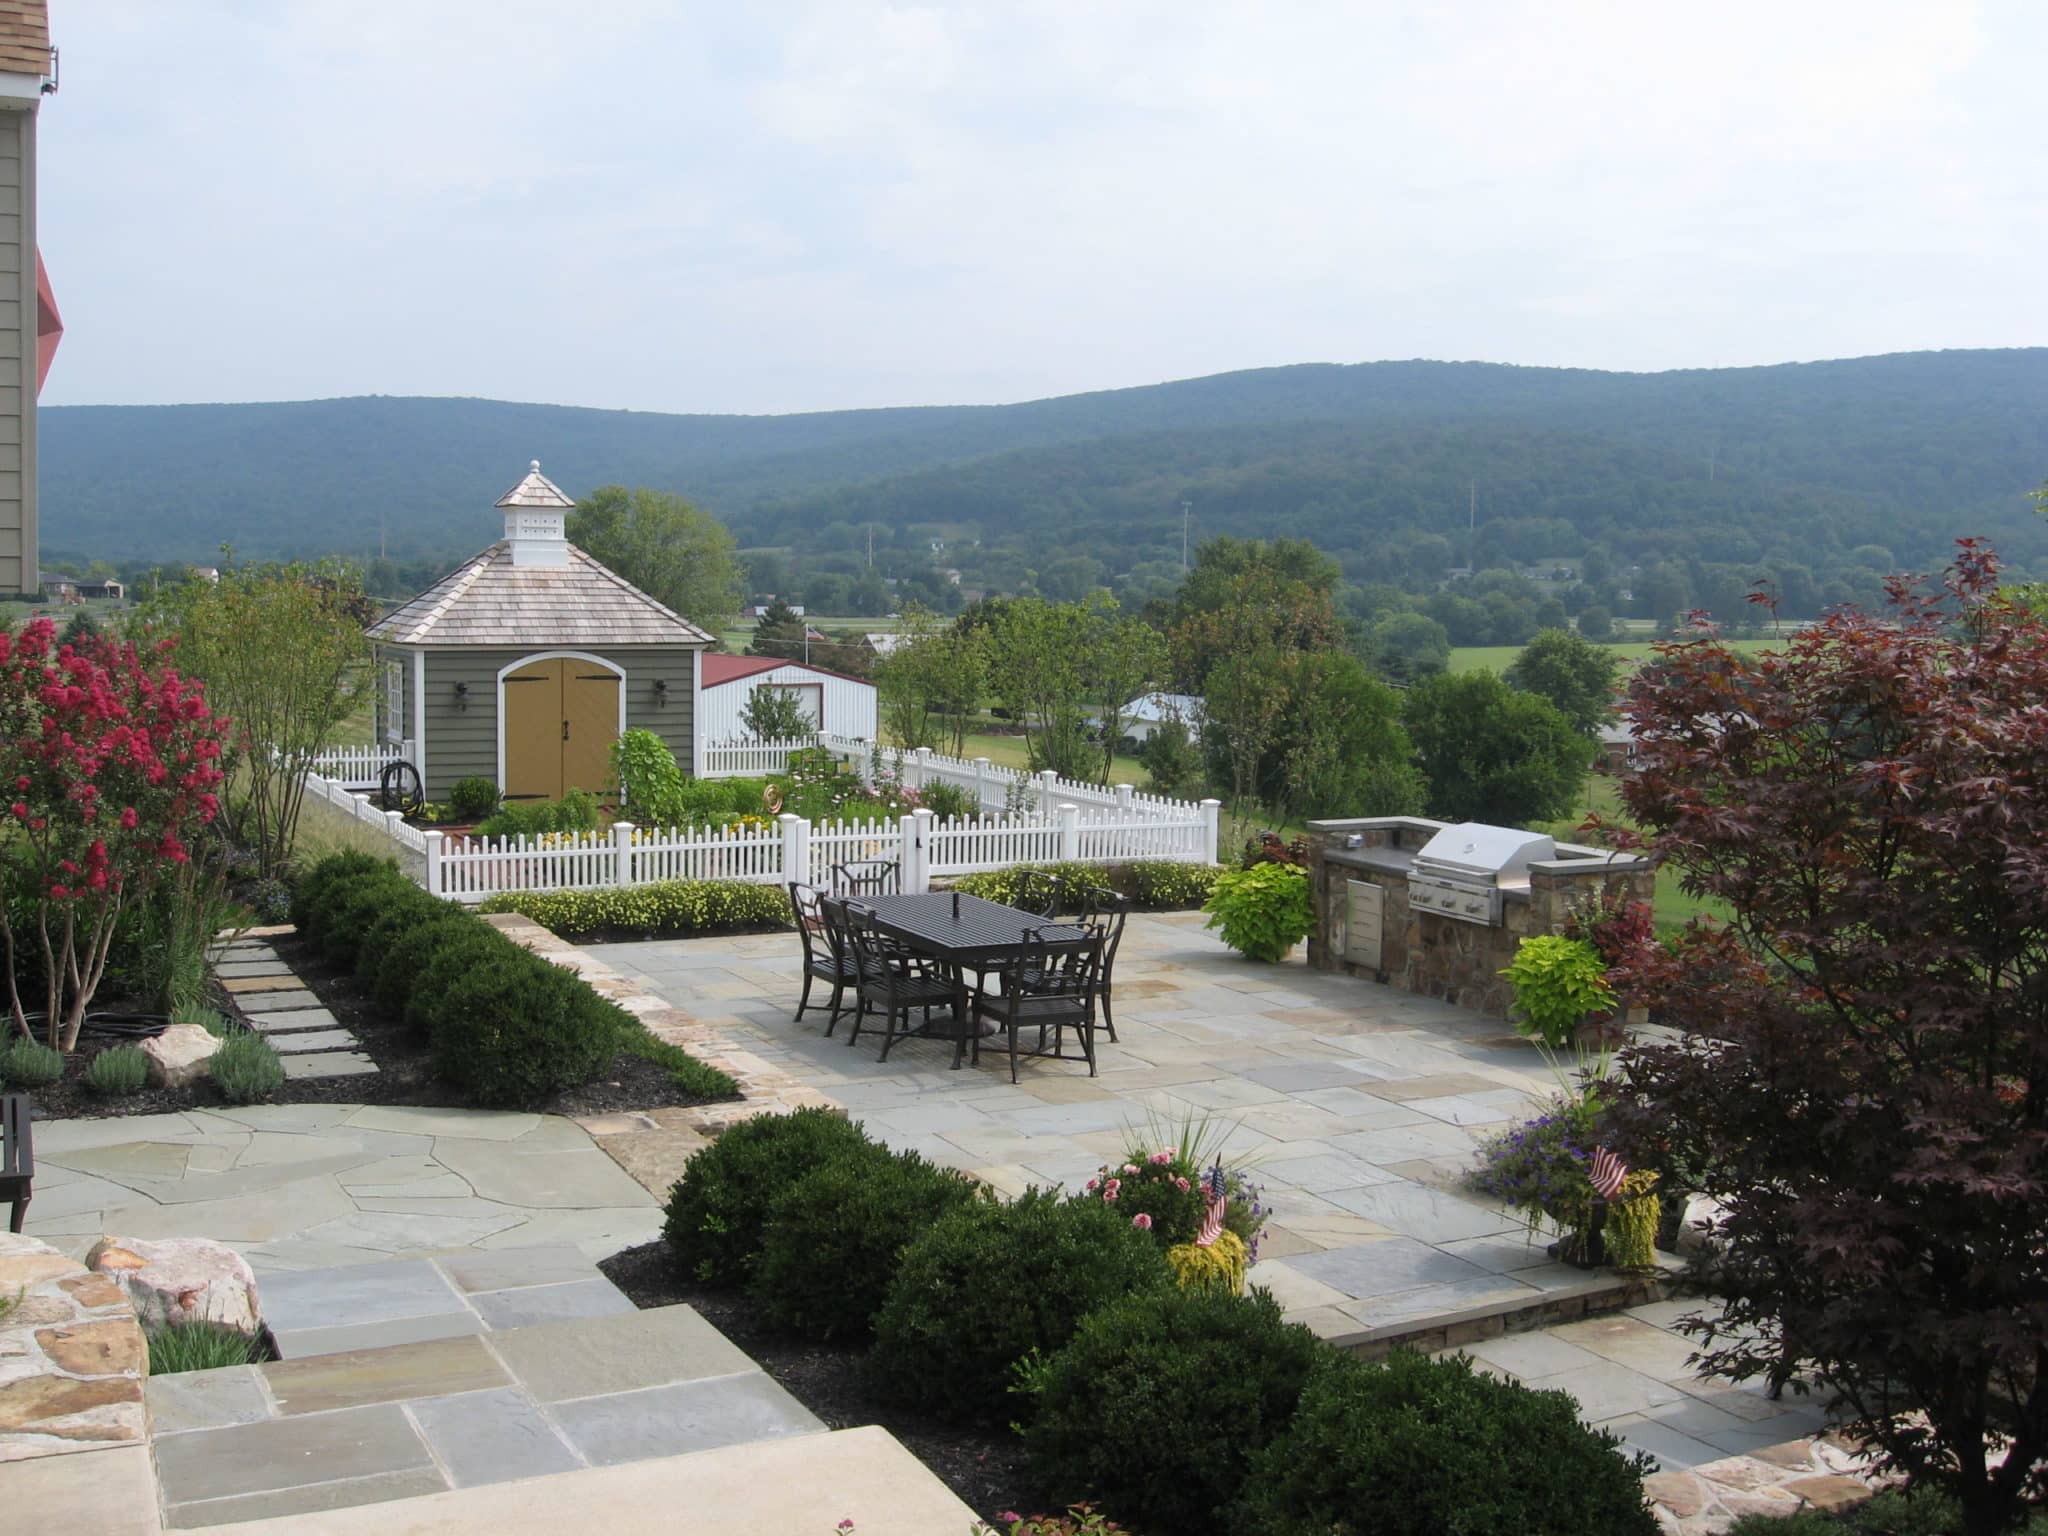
[{"x": 667, "y": 548}]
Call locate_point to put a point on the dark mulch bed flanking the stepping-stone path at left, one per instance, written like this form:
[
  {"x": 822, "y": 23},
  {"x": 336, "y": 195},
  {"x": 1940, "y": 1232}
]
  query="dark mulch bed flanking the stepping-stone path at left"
[{"x": 404, "y": 1066}]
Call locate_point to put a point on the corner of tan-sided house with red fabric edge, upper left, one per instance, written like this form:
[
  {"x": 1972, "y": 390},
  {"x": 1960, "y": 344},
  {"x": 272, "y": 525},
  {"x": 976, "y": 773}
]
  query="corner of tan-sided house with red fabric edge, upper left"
[{"x": 30, "y": 325}]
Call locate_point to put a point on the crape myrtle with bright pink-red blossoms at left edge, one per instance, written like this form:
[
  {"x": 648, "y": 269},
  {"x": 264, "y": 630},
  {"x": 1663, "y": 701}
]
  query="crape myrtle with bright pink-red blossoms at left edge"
[{"x": 112, "y": 767}]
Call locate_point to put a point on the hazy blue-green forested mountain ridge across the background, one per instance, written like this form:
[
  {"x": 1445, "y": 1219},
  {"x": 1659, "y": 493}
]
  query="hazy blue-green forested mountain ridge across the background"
[{"x": 1828, "y": 466}]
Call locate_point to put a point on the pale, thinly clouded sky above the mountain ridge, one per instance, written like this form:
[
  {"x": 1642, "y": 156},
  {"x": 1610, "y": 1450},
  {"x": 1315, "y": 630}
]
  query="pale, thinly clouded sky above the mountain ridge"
[{"x": 785, "y": 206}]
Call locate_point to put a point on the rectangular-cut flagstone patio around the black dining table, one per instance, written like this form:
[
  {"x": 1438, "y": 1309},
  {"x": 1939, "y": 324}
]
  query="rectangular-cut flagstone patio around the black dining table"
[{"x": 1359, "y": 1109}]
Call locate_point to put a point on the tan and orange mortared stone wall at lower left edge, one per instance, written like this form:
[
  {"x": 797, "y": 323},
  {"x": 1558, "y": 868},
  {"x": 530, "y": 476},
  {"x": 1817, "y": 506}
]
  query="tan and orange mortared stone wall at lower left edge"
[{"x": 73, "y": 1357}]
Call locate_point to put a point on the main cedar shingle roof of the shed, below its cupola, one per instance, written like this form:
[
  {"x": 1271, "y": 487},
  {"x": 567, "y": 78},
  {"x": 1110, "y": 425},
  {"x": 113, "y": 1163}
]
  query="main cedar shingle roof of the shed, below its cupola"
[{"x": 490, "y": 601}]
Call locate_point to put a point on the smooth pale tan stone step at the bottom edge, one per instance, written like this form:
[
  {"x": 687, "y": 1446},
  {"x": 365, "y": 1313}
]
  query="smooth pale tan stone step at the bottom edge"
[{"x": 773, "y": 1486}]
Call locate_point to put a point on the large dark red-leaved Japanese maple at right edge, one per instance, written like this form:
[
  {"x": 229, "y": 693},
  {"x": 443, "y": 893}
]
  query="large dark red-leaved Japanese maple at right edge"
[{"x": 1863, "y": 1046}]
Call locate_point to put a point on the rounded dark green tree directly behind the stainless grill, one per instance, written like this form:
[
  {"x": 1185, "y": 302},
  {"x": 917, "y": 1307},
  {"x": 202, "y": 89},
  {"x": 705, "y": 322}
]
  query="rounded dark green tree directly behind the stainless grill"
[{"x": 1494, "y": 755}]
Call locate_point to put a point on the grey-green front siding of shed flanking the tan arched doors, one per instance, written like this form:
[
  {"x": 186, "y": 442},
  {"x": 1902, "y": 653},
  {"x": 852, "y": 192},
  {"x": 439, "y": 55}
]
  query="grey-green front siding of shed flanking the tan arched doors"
[{"x": 464, "y": 742}]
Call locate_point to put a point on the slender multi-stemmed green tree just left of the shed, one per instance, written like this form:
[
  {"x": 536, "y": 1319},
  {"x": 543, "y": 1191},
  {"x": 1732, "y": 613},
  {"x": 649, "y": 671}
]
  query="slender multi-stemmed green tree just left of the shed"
[{"x": 284, "y": 656}]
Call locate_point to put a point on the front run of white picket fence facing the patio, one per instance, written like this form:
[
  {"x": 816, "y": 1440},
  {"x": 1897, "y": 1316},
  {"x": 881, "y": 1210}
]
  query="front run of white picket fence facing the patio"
[{"x": 921, "y": 845}]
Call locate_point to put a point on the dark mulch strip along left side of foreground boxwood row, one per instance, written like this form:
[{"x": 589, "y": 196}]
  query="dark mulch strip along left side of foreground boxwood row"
[{"x": 986, "y": 1471}]
